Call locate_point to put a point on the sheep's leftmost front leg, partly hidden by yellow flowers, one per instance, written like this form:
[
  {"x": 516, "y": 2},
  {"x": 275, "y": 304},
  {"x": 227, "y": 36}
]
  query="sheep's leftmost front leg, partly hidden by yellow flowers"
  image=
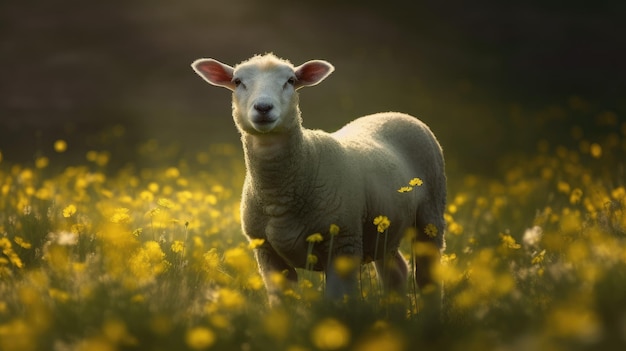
[{"x": 277, "y": 275}]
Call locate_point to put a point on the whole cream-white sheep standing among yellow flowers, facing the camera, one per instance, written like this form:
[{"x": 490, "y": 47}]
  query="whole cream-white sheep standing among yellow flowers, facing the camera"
[{"x": 299, "y": 181}]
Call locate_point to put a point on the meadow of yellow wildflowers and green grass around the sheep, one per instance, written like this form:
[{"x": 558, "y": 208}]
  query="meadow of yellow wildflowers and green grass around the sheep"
[{"x": 150, "y": 256}]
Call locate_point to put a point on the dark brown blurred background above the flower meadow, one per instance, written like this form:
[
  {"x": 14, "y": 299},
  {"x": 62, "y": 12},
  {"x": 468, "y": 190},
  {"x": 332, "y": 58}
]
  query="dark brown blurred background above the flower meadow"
[{"x": 489, "y": 77}]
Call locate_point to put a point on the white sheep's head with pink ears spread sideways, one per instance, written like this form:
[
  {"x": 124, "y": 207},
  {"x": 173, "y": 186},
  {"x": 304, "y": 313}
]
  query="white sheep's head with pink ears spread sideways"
[{"x": 264, "y": 89}]
